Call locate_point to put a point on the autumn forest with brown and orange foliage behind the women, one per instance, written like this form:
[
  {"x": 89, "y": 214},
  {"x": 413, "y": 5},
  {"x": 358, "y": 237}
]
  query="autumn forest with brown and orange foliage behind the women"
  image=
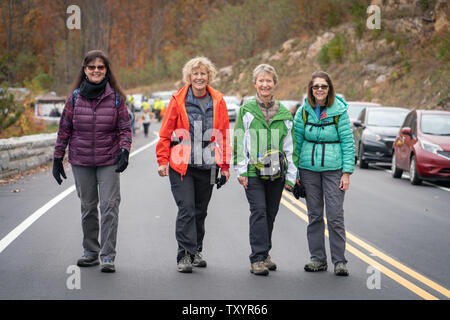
[{"x": 147, "y": 41}]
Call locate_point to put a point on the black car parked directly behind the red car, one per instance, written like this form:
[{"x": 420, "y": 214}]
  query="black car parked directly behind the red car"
[{"x": 375, "y": 132}]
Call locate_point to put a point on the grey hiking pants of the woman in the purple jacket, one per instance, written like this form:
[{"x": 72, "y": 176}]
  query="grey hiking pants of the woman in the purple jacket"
[{"x": 94, "y": 185}]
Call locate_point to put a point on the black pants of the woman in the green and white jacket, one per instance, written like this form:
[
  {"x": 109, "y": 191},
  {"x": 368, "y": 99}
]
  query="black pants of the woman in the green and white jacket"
[{"x": 264, "y": 197}]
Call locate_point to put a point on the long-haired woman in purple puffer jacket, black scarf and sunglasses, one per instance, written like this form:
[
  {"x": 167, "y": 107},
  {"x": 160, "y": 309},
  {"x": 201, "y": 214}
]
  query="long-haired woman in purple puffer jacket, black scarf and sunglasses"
[{"x": 95, "y": 124}]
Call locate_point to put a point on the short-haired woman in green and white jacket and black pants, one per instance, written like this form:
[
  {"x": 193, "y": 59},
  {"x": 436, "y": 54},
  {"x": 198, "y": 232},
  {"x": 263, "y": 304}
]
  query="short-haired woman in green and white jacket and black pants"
[{"x": 265, "y": 162}]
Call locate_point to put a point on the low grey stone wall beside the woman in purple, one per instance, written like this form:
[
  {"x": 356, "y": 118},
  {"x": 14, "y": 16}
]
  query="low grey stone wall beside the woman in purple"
[{"x": 25, "y": 153}]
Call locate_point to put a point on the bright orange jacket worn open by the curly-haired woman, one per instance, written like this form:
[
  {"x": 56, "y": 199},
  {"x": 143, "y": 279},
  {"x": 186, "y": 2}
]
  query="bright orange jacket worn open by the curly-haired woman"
[{"x": 176, "y": 123}]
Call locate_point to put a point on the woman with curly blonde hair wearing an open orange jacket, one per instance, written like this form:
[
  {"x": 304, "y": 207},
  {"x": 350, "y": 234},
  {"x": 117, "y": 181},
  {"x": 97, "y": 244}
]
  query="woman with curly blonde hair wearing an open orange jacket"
[{"x": 194, "y": 143}]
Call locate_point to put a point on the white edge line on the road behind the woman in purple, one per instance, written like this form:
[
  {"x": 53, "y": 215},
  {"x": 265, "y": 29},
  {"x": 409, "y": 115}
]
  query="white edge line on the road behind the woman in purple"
[{"x": 17, "y": 231}]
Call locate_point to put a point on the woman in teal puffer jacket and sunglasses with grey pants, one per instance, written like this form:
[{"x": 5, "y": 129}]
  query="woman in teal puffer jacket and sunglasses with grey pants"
[{"x": 326, "y": 159}]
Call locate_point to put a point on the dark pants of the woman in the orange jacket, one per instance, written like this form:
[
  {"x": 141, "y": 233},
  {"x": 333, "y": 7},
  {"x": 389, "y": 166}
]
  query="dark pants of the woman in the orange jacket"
[{"x": 192, "y": 195}]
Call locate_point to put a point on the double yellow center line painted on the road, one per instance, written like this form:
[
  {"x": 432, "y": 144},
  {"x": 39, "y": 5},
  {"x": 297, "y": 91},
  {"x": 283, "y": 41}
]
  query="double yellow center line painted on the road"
[{"x": 396, "y": 277}]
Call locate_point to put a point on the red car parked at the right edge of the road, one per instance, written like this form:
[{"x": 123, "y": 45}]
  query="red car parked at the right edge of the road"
[{"x": 422, "y": 146}]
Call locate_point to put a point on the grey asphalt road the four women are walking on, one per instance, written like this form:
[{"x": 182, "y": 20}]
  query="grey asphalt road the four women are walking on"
[{"x": 397, "y": 242}]
